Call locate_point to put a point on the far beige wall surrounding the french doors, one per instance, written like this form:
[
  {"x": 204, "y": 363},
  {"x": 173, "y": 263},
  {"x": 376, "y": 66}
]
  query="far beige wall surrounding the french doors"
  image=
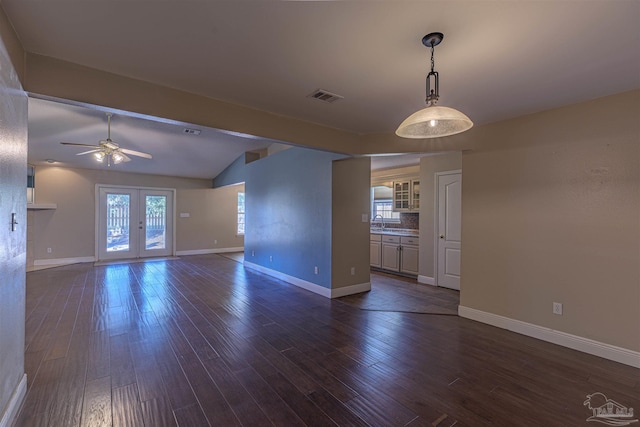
[{"x": 70, "y": 229}]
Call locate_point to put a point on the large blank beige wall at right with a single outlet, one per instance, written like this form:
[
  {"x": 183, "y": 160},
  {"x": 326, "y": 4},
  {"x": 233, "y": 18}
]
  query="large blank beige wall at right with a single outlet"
[{"x": 551, "y": 212}]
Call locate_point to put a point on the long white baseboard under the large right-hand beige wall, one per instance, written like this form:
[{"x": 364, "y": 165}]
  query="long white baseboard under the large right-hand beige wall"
[{"x": 586, "y": 345}]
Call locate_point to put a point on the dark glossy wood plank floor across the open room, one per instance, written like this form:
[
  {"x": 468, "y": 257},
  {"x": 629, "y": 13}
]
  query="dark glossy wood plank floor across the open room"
[{"x": 203, "y": 341}]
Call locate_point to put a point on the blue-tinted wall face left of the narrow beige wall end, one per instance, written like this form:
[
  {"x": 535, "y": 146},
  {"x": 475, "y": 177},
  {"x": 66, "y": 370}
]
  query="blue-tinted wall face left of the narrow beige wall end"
[{"x": 288, "y": 213}]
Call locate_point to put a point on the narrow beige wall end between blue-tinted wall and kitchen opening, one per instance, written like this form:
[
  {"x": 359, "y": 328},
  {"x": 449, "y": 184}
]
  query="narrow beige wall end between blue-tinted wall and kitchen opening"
[{"x": 349, "y": 234}]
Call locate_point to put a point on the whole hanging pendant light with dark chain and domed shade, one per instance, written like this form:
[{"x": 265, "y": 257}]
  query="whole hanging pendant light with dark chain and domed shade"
[{"x": 433, "y": 121}]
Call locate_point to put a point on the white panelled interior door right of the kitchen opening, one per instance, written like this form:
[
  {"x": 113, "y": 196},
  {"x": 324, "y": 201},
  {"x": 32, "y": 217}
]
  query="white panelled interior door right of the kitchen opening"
[{"x": 449, "y": 229}]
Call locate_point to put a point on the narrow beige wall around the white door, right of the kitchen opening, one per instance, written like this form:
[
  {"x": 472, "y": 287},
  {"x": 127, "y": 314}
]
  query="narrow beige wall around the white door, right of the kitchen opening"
[{"x": 429, "y": 165}]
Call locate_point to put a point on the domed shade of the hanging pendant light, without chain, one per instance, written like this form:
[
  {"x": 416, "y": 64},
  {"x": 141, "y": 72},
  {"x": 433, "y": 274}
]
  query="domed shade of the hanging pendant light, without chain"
[{"x": 434, "y": 121}]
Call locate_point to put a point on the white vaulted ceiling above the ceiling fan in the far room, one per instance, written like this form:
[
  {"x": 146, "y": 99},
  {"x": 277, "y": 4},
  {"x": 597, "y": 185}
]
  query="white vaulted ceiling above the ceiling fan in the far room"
[{"x": 174, "y": 152}]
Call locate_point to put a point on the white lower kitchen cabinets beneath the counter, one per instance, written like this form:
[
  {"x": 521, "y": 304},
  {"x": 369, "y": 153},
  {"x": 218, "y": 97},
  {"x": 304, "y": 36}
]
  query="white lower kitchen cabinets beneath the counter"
[{"x": 395, "y": 253}]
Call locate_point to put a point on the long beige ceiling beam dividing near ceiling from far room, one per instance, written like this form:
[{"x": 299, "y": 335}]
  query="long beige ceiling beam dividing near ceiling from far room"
[{"x": 53, "y": 78}]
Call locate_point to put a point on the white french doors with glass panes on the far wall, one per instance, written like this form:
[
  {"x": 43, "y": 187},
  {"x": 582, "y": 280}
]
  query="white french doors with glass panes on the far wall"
[{"x": 134, "y": 223}]
